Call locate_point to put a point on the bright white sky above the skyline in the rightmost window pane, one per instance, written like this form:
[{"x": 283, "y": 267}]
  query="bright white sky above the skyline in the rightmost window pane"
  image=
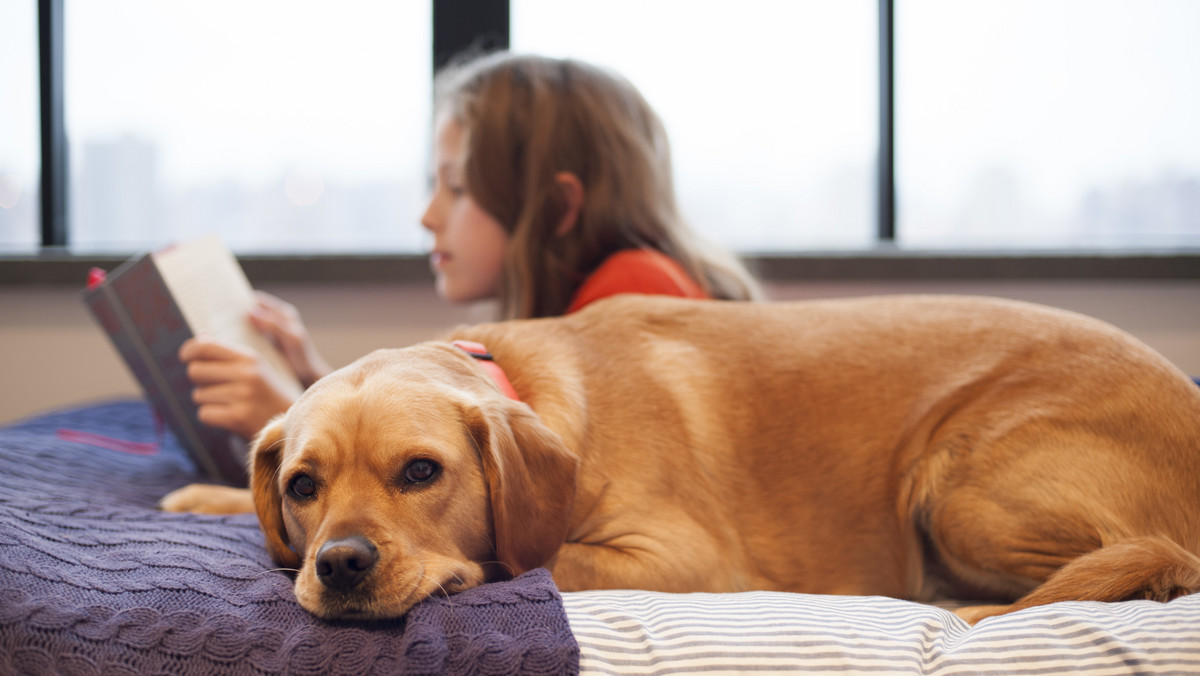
[{"x": 1072, "y": 93}]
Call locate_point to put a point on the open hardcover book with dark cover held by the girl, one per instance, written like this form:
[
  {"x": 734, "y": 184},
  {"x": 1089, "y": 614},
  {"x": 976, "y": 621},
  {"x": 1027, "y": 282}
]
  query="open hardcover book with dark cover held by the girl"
[{"x": 152, "y": 304}]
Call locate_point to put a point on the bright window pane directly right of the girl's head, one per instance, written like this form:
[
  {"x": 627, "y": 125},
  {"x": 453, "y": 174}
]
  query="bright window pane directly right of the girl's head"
[{"x": 771, "y": 106}]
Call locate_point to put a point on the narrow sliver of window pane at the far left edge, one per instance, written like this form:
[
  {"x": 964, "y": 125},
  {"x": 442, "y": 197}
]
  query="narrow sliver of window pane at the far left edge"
[{"x": 20, "y": 137}]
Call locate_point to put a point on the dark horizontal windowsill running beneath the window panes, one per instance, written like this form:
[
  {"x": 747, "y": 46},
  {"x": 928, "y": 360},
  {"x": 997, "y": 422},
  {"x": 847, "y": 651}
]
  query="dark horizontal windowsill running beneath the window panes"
[{"x": 52, "y": 268}]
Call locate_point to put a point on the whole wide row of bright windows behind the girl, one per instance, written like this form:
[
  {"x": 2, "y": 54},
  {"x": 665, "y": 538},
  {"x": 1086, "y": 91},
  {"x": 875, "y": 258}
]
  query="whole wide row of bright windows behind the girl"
[{"x": 304, "y": 128}]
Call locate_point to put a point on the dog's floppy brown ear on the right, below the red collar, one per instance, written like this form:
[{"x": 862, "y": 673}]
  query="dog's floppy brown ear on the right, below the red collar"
[{"x": 531, "y": 481}]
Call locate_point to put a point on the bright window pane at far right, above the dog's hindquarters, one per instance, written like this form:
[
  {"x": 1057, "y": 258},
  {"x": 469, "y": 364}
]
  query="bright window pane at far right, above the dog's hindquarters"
[{"x": 1048, "y": 123}]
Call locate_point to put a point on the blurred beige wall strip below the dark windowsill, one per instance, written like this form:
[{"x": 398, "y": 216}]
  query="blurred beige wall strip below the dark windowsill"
[{"x": 52, "y": 355}]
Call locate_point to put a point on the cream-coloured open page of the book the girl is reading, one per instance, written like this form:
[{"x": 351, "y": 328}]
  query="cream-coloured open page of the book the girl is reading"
[{"x": 217, "y": 298}]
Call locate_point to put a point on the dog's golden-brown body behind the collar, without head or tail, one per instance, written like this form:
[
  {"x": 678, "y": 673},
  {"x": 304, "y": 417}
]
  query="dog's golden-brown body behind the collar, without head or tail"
[{"x": 862, "y": 446}]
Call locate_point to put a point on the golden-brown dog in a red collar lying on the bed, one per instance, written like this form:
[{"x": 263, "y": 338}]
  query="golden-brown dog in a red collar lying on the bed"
[{"x": 914, "y": 447}]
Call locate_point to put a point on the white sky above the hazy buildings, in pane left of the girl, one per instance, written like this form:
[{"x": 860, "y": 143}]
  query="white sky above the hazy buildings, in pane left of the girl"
[{"x": 242, "y": 88}]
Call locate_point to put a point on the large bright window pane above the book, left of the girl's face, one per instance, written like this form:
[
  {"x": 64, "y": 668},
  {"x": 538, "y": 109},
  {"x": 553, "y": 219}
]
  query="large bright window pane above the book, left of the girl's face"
[{"x": 281, "y": 125}]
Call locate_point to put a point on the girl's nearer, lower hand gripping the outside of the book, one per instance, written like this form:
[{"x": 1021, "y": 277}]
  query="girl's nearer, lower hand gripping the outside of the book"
[{"x": 235, "y": 388}]
